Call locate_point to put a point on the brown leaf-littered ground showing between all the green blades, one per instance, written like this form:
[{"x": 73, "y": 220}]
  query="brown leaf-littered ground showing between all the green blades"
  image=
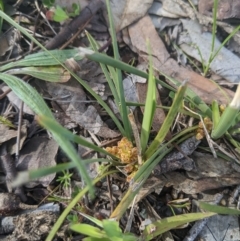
[{"x": 180, "y": 36}]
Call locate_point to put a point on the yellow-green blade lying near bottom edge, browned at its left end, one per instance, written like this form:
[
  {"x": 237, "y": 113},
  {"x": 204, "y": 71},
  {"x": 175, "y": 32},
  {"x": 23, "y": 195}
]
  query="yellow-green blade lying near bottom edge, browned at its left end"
[{"x": 167, "y": 224}]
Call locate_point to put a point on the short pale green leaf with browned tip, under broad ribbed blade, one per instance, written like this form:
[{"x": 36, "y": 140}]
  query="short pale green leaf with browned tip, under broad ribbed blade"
[{"x": 51, "y": 74}]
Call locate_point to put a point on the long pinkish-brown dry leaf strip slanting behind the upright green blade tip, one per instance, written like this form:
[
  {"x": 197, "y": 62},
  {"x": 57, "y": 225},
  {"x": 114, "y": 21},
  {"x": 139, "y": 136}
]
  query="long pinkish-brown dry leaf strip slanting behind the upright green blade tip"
[{"x": 144, "y": 29}]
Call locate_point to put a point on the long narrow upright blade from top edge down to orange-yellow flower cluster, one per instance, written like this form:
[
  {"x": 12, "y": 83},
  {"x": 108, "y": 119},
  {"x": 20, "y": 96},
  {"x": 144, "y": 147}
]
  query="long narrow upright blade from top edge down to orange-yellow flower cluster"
[{"x": 122, "y": 106}]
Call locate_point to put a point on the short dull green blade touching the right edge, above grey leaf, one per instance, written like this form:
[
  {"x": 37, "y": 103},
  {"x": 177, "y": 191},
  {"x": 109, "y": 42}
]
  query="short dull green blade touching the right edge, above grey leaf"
[{"x": 218, "y": 209}]
